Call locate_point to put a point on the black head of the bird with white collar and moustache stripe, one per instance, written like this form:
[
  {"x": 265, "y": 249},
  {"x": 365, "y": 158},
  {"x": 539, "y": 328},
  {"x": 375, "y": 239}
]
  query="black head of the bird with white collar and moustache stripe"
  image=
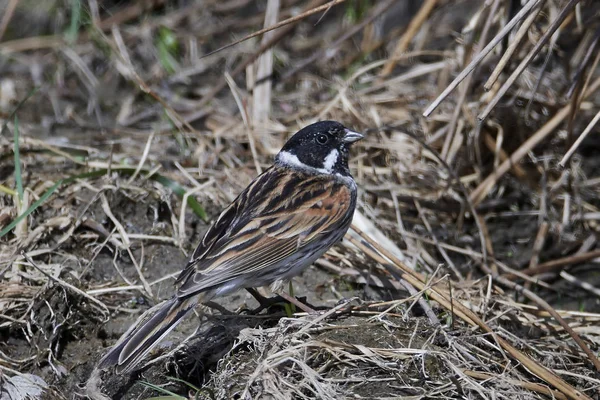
[{"x": 322, "y": 147}]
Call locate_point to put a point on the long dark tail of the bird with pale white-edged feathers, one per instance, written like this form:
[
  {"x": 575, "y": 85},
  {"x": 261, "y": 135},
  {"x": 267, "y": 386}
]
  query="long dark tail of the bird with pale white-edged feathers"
[{"x": 146, "y": 333}]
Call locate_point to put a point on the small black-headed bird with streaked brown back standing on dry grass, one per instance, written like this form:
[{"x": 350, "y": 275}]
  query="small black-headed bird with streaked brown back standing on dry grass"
[{"x": 280, "y": 224}]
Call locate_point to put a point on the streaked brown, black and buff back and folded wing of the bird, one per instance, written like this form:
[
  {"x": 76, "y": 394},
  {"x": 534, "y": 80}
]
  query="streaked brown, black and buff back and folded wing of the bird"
[{"x": 280, "y": 212}]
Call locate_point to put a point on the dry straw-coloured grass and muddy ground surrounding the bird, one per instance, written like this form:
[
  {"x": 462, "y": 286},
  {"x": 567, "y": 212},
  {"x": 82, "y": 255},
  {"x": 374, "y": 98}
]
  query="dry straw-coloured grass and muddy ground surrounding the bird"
[{"x": 474, "y": 246}]
